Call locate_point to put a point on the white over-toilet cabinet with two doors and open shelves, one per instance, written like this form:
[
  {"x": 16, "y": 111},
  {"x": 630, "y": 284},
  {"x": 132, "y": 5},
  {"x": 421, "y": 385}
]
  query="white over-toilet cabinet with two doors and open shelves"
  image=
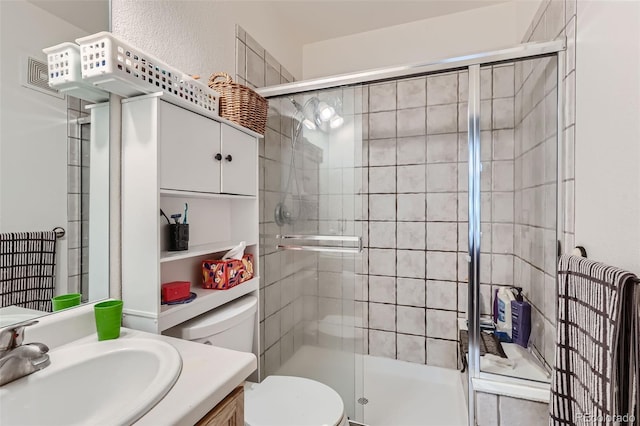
[{"x": 169, "y": 160}]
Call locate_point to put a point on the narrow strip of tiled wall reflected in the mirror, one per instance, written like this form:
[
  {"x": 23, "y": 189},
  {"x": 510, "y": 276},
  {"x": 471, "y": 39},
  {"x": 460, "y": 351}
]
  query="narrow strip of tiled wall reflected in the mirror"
[{"x": 78, "y": 198}]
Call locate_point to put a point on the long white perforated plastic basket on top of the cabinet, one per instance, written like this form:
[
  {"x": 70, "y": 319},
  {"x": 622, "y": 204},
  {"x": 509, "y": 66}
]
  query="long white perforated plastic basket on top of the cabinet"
[{"x": 116, "y": 66}]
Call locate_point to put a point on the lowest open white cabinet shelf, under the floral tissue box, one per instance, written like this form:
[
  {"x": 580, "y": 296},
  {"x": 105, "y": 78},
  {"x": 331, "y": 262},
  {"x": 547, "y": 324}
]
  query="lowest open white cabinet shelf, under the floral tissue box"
[{"x": 171, "y": 315}]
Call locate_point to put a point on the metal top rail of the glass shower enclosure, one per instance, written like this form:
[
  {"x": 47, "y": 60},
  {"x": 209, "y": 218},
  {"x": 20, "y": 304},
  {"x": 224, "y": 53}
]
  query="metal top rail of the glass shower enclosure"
[{"x": 527, "y": 50}]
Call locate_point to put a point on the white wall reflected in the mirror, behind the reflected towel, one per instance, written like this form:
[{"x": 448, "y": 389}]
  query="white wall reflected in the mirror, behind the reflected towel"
[{"x": 33, "y": 129}]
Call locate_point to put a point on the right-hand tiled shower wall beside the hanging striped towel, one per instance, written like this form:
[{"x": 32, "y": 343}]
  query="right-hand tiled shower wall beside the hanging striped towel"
[{"x": 536, "y": 158}]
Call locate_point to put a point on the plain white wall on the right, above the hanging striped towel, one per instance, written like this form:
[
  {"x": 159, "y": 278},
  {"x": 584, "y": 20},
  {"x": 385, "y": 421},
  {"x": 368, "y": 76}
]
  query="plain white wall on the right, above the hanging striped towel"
[{"x": 607, "y": 189}]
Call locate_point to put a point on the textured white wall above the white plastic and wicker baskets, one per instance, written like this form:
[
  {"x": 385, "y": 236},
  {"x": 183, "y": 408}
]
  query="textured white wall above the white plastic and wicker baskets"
[{"x": 198, "y": 37}]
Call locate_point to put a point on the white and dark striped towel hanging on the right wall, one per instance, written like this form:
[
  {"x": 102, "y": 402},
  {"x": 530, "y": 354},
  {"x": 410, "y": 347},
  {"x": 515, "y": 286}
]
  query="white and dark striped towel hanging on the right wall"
[{"x": 596, "y": 373}]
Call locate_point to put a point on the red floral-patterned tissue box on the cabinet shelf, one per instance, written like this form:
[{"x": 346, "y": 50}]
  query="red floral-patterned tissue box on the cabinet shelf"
[{"x": 224, "y": 274}]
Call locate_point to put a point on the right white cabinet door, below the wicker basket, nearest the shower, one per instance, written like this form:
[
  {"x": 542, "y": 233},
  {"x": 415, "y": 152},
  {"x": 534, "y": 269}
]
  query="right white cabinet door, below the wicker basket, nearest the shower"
[{"x": 239, "y": 162}]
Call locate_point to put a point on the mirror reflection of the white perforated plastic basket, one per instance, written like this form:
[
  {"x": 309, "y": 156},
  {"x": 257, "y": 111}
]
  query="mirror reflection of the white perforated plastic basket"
[{"x": 63, "y": 65}]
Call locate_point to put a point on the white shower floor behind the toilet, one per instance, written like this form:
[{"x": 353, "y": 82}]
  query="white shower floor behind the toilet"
[{"x": 399, "y": 393}]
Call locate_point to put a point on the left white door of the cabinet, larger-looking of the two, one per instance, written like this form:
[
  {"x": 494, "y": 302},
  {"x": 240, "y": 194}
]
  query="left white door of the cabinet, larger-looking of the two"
[{"x": 188, "y": 146}]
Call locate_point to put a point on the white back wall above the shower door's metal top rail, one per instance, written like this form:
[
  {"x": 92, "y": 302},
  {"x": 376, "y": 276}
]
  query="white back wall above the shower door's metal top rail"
[{"x": 476, "y": 30}]
